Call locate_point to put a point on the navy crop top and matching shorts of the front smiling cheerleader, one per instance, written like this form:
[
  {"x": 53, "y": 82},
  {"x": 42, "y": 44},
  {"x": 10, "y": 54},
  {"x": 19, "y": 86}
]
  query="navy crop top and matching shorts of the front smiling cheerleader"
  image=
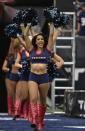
[{"x": 41, "y": 58}]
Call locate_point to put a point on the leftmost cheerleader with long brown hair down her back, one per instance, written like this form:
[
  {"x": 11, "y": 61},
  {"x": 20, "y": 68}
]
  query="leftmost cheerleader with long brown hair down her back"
[{"x": 11, "y": 75}]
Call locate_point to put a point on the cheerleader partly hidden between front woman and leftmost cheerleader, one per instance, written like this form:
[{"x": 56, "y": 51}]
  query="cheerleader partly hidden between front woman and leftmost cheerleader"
[{"x": 21, "y": 104}]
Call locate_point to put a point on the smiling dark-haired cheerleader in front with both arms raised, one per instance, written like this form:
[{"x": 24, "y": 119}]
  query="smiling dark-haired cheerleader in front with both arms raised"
[{"x": 38, "y": 77}]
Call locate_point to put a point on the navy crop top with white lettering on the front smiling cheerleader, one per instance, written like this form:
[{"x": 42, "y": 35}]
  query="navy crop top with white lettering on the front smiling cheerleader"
[{"x": 40, "y": 58}]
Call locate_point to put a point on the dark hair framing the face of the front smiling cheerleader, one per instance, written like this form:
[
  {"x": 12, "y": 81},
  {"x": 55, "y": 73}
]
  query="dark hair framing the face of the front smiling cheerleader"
[{"x": 34, "y": 40}]
